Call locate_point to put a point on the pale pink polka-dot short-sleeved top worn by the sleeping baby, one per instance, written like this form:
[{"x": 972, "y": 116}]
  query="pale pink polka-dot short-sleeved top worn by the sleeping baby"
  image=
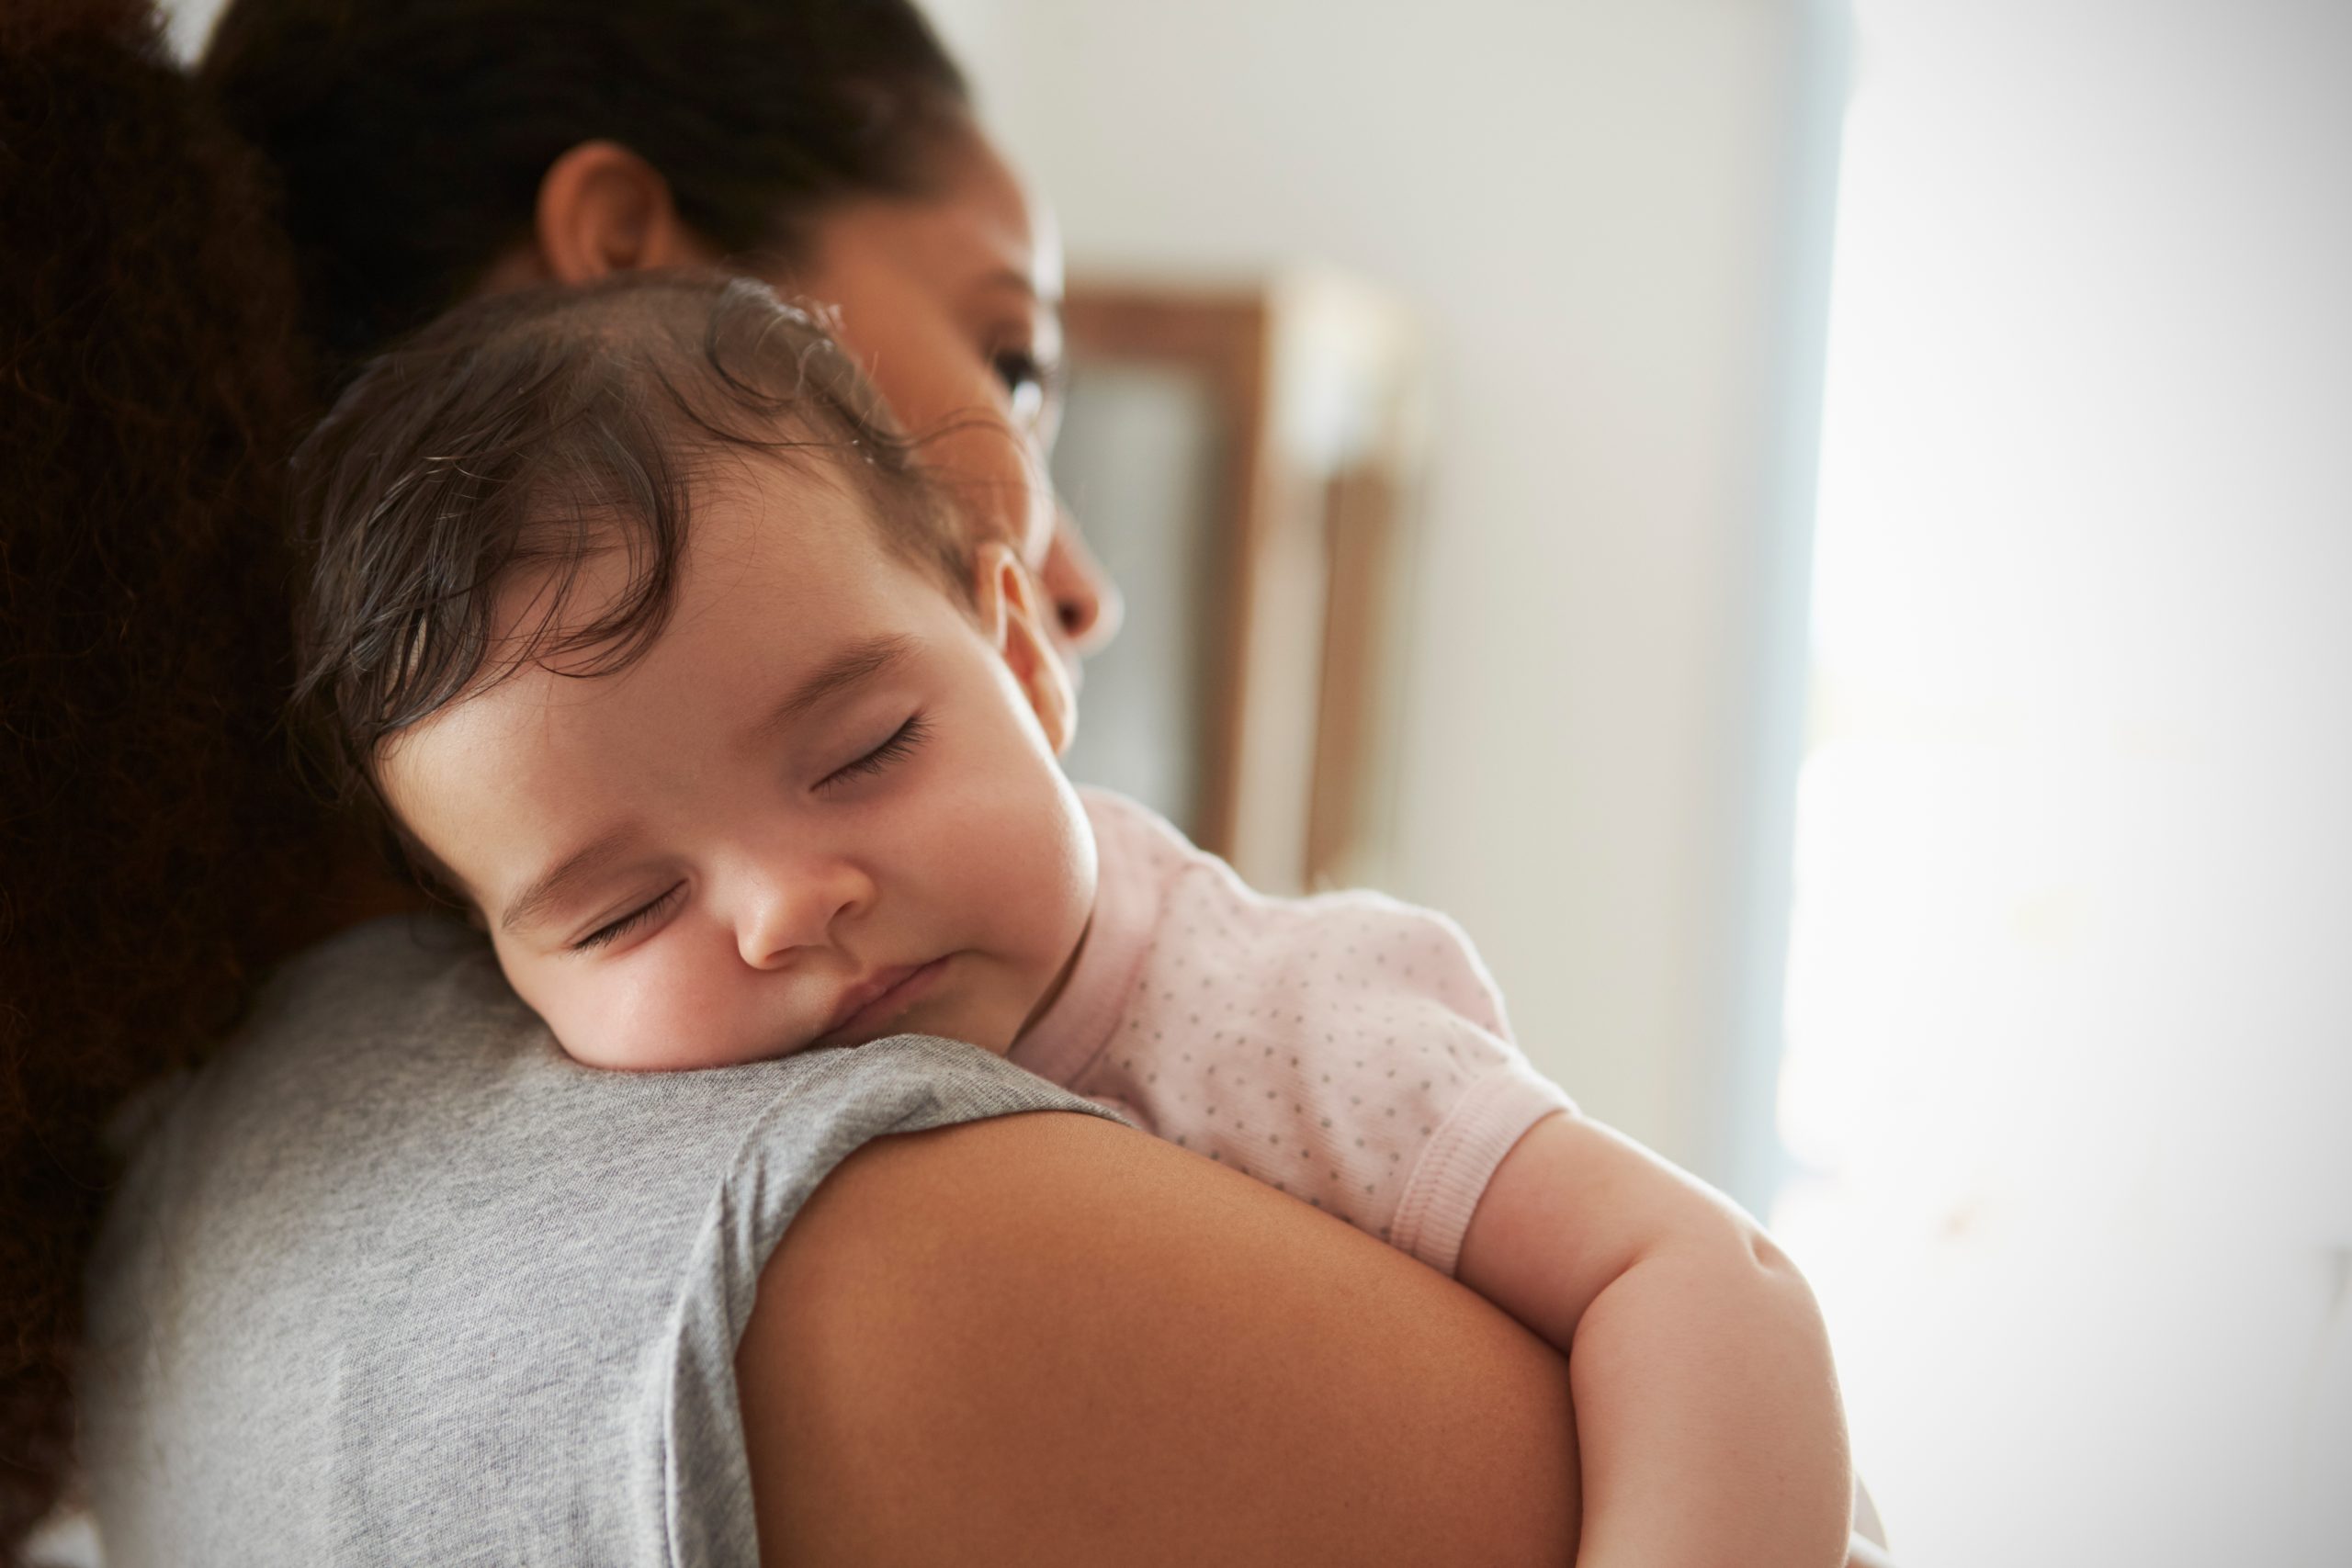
[{"x": 1349, "y": 1050}]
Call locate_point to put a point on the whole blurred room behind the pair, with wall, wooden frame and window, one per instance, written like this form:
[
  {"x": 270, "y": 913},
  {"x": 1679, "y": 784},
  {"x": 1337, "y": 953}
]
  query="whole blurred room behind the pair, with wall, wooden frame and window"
[{"x": 1822, "y": 532}]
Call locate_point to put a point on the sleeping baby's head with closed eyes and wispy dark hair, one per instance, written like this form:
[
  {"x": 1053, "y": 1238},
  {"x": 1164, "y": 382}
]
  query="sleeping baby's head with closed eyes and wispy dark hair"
[{"x": 662, "y": 657}]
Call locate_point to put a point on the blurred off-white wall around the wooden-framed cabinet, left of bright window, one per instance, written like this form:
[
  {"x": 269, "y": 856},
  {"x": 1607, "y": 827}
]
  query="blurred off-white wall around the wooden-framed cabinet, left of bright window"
[{"x": 1584, "y": 199}]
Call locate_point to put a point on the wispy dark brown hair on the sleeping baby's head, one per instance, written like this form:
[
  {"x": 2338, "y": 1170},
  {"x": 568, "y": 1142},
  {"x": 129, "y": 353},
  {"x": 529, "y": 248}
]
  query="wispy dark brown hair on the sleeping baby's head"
[{"x": 540, "y": 431}]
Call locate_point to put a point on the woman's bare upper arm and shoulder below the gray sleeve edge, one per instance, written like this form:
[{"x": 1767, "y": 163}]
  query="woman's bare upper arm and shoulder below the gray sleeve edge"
[{"x": 1055, "y": 1341}]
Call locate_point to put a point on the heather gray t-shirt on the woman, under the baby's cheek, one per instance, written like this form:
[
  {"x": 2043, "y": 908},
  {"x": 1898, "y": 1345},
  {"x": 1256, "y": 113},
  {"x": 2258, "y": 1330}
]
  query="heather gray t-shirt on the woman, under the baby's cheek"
[{"x": 396, "y": 1282}]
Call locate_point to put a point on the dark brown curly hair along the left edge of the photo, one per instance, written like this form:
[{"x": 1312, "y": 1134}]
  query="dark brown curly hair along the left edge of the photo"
[{"x": 152, "y": 838}]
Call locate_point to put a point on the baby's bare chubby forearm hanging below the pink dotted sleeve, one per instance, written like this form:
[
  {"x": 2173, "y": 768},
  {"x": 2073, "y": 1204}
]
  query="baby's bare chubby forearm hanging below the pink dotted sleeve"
[{"x": 1706, "y": 1402}]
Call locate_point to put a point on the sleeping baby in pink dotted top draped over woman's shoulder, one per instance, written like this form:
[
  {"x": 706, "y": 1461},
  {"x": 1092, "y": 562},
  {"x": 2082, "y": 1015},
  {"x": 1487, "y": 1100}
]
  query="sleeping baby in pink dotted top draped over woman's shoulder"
[{"x": 667, "y": 662}]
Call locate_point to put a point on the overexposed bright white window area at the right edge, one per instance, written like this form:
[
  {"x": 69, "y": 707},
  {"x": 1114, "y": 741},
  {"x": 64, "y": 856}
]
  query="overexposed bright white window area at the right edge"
[{"x": 2071, "y": 979}]
